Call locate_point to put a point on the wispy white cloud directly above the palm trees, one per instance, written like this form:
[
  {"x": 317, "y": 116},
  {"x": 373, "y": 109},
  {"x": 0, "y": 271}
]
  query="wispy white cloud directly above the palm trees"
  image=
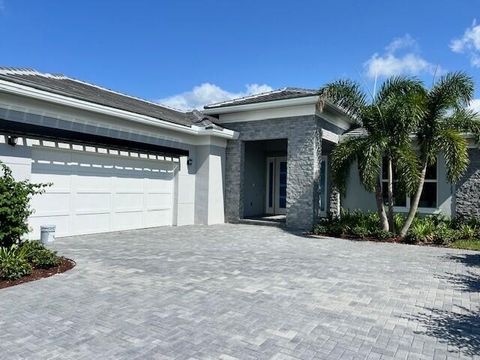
[{"x": 401, "y": 57}]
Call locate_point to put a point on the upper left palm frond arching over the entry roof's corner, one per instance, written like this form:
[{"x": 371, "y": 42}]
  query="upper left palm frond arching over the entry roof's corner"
[{"x": 346, "y": 94}]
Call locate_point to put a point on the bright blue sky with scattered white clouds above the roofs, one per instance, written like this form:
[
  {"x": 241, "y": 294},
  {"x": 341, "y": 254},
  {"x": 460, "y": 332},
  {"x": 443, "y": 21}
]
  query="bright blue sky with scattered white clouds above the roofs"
[{"x": 186, "y": 53}]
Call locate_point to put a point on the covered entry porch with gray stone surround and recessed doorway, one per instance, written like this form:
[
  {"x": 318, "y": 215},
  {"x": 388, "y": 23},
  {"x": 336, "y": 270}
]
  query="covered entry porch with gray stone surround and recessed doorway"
[{"x": 279, "y": 168}]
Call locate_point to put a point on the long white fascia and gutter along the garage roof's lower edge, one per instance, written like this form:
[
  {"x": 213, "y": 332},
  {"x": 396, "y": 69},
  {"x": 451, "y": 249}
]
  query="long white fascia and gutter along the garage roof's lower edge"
[{"x": 22, "y": 90}]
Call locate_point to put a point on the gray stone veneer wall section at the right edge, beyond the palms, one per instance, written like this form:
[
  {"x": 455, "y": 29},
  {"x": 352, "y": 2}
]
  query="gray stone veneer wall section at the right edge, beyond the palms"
[{"x": 467, "y": 194}]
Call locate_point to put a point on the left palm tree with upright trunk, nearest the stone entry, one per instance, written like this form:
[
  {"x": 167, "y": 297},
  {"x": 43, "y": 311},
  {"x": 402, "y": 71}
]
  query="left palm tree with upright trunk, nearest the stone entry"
[{"x": 388, "y": 120}]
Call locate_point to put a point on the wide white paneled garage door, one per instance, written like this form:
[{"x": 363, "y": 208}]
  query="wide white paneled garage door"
[{"x": 94, "y": 192}]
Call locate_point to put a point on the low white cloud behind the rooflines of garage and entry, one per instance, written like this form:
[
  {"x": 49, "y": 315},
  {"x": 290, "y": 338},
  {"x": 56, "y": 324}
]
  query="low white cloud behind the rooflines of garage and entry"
[{"x": 207, "y": 93}]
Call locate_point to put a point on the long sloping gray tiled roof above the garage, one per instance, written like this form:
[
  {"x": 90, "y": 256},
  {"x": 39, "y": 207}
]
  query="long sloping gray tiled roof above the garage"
[{"x": 63, "y": 85}]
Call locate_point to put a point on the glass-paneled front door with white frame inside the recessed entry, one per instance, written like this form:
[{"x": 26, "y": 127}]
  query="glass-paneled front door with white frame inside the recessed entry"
[{"x": 276, "y": 203}]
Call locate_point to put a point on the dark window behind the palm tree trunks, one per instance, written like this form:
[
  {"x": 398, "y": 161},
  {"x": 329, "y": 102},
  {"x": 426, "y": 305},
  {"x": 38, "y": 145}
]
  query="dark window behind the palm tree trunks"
[{"x": 428, "y": 199}]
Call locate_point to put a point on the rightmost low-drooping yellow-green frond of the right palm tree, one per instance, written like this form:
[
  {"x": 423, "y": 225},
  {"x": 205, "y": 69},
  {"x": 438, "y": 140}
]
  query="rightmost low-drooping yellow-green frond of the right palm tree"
[{"x": 455, "y": 150}]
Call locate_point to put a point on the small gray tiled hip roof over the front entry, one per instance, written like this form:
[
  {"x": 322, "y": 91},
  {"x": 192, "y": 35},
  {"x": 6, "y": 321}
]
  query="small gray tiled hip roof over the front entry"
[{"x": 280, "y": 94}]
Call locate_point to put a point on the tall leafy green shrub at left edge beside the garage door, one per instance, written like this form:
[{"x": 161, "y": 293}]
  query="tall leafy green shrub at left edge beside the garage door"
[{"x": 14, "y": 206}]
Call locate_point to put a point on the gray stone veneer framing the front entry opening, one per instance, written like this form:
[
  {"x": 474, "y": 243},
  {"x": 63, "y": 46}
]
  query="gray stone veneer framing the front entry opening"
[{"x": 304, "y": 150}]
